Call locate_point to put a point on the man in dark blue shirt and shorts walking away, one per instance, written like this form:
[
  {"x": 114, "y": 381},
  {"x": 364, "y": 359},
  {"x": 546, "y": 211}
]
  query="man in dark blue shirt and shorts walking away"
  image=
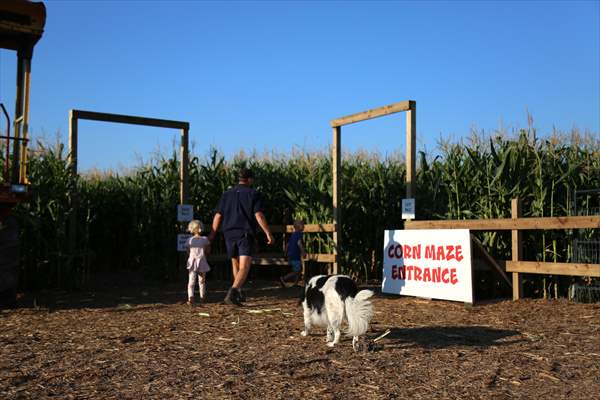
[{"x": 239, "y": 212}]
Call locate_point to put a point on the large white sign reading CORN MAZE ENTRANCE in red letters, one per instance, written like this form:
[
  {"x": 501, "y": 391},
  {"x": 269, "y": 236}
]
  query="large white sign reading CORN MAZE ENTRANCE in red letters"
[{"x": 433, "y": 263}]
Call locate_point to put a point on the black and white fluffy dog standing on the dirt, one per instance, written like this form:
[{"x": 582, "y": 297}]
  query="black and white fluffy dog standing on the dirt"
[{"x": 326, "y": 299}]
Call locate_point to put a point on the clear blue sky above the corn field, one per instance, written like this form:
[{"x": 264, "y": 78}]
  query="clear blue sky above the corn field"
[{"x": 269, "y": 76}]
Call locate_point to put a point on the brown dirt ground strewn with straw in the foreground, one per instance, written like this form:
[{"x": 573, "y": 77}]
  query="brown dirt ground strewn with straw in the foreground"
[{"x": 145, "y": 343}]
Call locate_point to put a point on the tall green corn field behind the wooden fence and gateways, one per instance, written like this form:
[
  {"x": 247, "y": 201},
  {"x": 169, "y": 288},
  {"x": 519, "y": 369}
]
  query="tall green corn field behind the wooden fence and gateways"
[{"x": 128, "y": 220}]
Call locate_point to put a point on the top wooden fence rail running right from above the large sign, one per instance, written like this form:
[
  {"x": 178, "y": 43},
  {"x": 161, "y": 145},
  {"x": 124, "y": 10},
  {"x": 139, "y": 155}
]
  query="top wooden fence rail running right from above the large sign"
[{"x": 509, "y": 223}]
